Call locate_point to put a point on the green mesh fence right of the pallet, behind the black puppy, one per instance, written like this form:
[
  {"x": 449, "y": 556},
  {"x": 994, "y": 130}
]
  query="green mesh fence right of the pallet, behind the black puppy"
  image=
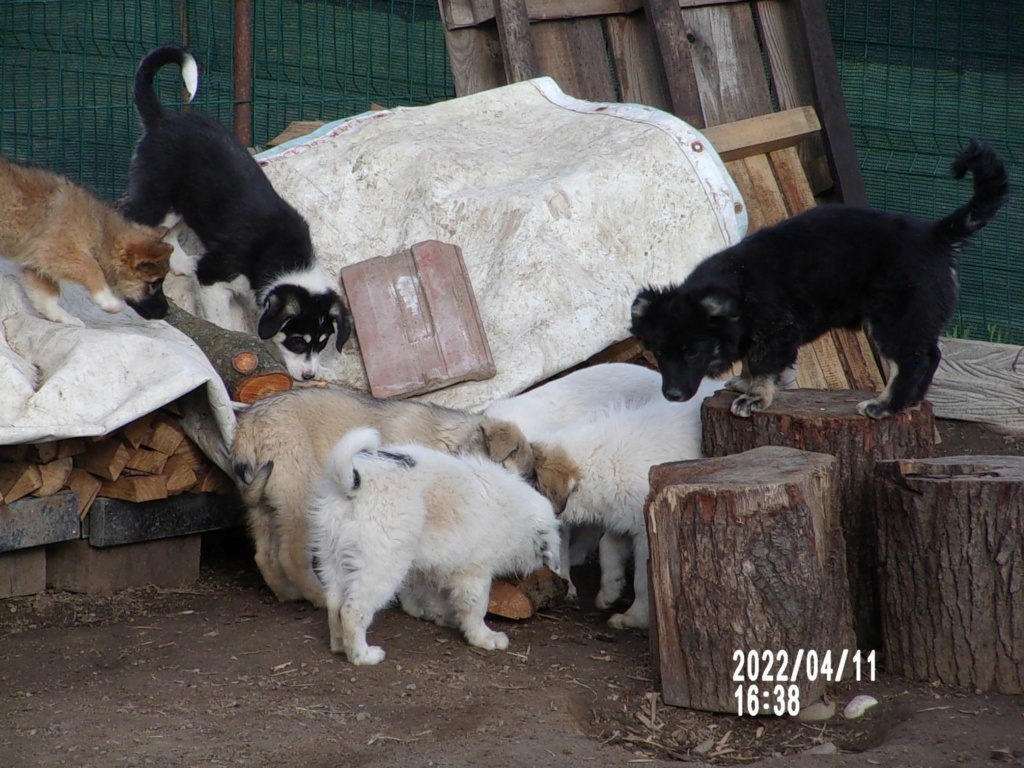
[{"x": 920, "y": 78}]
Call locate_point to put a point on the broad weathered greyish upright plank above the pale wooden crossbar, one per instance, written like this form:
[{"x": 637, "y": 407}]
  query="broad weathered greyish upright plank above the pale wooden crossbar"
[{"x": 728, "y": 63}]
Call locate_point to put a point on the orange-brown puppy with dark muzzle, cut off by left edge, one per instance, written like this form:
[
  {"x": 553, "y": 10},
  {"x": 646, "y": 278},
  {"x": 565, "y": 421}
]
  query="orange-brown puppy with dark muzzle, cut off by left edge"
[{"x": 56, "y": 231}]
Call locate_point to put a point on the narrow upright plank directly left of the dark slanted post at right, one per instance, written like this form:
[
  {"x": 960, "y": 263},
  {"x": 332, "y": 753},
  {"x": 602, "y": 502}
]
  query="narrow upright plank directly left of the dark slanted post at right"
[{"x": 792, "y": 79}]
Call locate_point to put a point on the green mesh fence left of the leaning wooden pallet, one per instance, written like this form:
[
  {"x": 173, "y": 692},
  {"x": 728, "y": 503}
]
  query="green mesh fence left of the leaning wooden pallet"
[{"x": 67, "y": 68}]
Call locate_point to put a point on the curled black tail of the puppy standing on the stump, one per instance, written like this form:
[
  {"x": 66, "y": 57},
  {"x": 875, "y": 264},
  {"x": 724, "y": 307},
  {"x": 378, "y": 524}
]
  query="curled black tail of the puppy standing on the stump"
[{"x": 991, "y": 190}]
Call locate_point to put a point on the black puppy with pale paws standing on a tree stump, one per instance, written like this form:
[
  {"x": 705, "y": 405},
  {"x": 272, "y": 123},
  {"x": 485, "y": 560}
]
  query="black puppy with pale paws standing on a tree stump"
[{"x": 832, "y": 267}]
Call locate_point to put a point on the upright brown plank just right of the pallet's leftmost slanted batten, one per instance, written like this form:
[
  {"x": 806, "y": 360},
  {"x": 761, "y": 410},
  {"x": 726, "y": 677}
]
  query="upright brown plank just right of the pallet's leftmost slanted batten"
[{"x": 575, "y": 55}]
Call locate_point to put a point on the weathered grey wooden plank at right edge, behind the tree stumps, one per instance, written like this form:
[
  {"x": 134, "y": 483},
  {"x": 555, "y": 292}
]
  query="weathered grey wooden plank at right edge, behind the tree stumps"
[{"x": 980, "y": 381}]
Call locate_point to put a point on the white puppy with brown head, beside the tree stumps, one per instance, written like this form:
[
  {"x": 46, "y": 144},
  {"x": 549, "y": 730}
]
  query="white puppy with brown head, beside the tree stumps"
[{"x": 599, "y": 470}]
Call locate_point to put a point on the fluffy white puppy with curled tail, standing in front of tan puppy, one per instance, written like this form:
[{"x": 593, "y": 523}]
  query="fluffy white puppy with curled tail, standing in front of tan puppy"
[{"x": 409, "y": 515}]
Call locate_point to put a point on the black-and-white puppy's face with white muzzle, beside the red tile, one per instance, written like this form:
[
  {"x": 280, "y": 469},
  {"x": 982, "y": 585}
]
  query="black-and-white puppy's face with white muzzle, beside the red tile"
[{"x": 298, "y": 323}]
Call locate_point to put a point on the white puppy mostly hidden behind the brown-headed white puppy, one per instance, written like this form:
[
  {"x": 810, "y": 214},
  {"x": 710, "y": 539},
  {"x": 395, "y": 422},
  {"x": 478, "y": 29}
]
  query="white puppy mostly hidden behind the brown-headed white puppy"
[{"x": 571, "y": 399}]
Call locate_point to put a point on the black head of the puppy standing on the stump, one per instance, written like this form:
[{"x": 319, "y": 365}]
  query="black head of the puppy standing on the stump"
[{"x": 691, "y": 336}]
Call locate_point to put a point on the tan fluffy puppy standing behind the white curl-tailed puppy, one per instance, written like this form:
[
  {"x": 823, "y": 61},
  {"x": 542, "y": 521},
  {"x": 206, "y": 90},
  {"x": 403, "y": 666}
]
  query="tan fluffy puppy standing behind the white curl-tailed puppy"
[{"x": 282, "y": 443}]
